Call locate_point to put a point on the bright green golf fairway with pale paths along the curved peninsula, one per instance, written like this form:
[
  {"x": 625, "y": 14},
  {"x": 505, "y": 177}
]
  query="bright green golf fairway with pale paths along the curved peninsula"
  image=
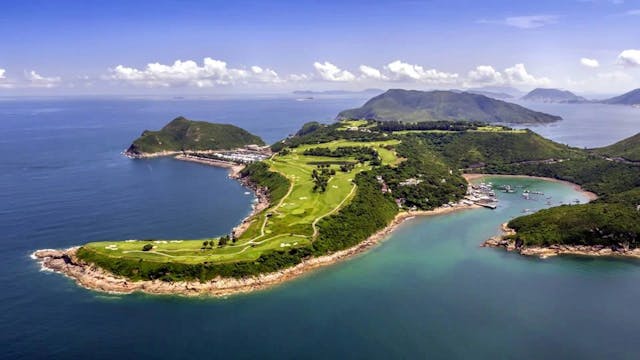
[{"x": 291, "y": 222}]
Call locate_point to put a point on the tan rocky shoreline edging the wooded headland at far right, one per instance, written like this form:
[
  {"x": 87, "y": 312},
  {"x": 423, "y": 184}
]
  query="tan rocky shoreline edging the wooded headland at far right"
[{"x": 544, "y": 252}]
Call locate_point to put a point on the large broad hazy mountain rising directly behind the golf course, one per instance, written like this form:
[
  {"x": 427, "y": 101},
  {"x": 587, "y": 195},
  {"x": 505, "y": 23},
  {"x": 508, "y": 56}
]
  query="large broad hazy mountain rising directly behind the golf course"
[{"x": 414, "y": 106}]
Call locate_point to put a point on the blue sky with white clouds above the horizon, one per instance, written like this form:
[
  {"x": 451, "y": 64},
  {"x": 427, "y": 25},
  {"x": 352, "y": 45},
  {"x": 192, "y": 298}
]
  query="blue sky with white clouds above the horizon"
[{"x": 218, "y": 47}]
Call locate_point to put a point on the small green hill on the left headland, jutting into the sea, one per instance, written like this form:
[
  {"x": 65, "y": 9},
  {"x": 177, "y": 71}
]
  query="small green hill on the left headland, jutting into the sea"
[{"x": 183, "y": 134}]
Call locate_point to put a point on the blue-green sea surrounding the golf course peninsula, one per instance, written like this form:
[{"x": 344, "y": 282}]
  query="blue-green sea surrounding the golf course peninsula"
[{"x": 429, "y": 291}]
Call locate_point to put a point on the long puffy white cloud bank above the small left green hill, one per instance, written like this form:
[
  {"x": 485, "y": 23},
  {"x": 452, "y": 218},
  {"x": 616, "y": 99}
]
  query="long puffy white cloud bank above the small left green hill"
[{"x": 188, "y": 73}]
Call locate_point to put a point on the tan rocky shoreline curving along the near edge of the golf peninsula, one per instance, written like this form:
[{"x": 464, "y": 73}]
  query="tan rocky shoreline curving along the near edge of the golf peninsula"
[{"x": 92, "y": 277}]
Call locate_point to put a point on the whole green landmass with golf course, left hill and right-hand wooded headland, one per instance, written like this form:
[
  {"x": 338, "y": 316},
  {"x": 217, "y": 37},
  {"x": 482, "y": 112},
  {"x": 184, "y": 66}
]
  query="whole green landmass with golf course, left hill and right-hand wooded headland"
[{"x": 331, "y": 191}]
